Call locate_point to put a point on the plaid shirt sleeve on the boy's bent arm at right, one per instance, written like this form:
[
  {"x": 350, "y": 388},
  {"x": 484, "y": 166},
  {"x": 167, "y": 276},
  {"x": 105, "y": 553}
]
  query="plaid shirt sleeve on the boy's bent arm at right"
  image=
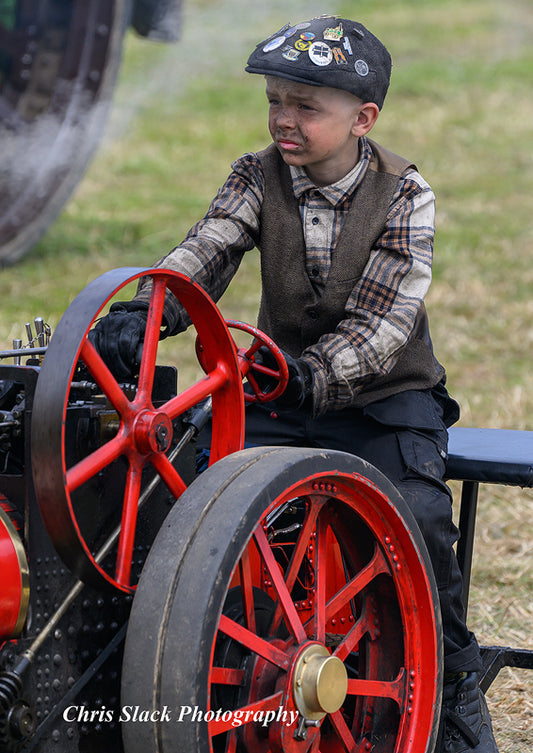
[{"x": 382, "y": 308}]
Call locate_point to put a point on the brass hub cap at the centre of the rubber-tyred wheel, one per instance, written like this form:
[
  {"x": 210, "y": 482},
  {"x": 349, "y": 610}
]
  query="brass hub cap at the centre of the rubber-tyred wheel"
[{"x": 320, "y": 682}]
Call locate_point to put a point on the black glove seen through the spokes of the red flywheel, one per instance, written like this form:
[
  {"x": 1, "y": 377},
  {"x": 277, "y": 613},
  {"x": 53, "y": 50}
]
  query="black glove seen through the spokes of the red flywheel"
[{"x": 117, "y": 338}]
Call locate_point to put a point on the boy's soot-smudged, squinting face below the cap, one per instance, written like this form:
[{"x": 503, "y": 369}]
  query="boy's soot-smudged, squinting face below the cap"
[{"x": 317, "y": 127}]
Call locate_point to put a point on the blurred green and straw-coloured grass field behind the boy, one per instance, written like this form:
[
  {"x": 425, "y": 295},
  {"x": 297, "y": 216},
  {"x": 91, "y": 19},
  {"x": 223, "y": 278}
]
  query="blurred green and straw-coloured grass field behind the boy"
[{"x": 460, "y": 106}]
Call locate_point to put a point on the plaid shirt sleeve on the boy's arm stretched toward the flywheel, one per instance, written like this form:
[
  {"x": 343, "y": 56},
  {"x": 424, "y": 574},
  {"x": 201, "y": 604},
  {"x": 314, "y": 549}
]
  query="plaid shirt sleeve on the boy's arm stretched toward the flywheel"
[{"x": 211, "y": 252}]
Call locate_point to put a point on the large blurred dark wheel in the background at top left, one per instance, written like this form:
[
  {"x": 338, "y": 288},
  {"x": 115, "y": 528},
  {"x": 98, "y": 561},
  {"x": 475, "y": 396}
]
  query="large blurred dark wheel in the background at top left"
[{"x": 58, "y": 65}]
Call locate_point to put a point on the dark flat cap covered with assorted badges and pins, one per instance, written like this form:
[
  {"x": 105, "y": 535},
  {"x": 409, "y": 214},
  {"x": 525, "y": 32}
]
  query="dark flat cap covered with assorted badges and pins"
[{"x": 327, "y": 51}]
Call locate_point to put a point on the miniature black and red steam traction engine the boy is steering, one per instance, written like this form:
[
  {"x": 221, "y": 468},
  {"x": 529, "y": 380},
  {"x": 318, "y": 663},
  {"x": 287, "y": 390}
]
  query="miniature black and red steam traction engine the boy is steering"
[{"x": 147, "y": 607}]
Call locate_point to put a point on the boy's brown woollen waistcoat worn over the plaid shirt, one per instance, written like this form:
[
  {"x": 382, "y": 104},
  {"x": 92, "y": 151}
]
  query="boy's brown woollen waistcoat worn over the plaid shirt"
[{"x": 291, "y": 312}]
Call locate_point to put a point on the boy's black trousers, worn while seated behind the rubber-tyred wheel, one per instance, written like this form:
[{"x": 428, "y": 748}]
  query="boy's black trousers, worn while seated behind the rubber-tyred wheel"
[{"x": 406, "y": 438}]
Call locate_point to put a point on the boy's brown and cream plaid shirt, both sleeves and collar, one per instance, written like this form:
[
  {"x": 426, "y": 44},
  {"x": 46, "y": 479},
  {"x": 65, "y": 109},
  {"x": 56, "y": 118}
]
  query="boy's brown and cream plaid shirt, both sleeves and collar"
[{"x": 381, "y": 309}]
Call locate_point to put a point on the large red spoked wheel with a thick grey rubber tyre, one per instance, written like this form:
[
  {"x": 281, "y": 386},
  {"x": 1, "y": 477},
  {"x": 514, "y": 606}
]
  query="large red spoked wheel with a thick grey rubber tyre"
[{"x": 287, "y": 606}]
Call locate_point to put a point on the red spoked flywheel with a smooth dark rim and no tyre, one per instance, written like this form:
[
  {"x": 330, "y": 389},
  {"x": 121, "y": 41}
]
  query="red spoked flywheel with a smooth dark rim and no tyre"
[{"x": 142, "y": 433}]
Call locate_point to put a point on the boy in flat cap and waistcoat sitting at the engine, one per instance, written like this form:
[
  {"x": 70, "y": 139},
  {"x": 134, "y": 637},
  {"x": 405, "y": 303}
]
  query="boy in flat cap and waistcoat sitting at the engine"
[{"x": 345, "y": 230}]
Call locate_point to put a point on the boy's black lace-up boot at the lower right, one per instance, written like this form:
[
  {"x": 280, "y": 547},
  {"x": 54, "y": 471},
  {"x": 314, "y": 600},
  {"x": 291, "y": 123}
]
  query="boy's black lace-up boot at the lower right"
[{"x": 465, "y": 725}]
